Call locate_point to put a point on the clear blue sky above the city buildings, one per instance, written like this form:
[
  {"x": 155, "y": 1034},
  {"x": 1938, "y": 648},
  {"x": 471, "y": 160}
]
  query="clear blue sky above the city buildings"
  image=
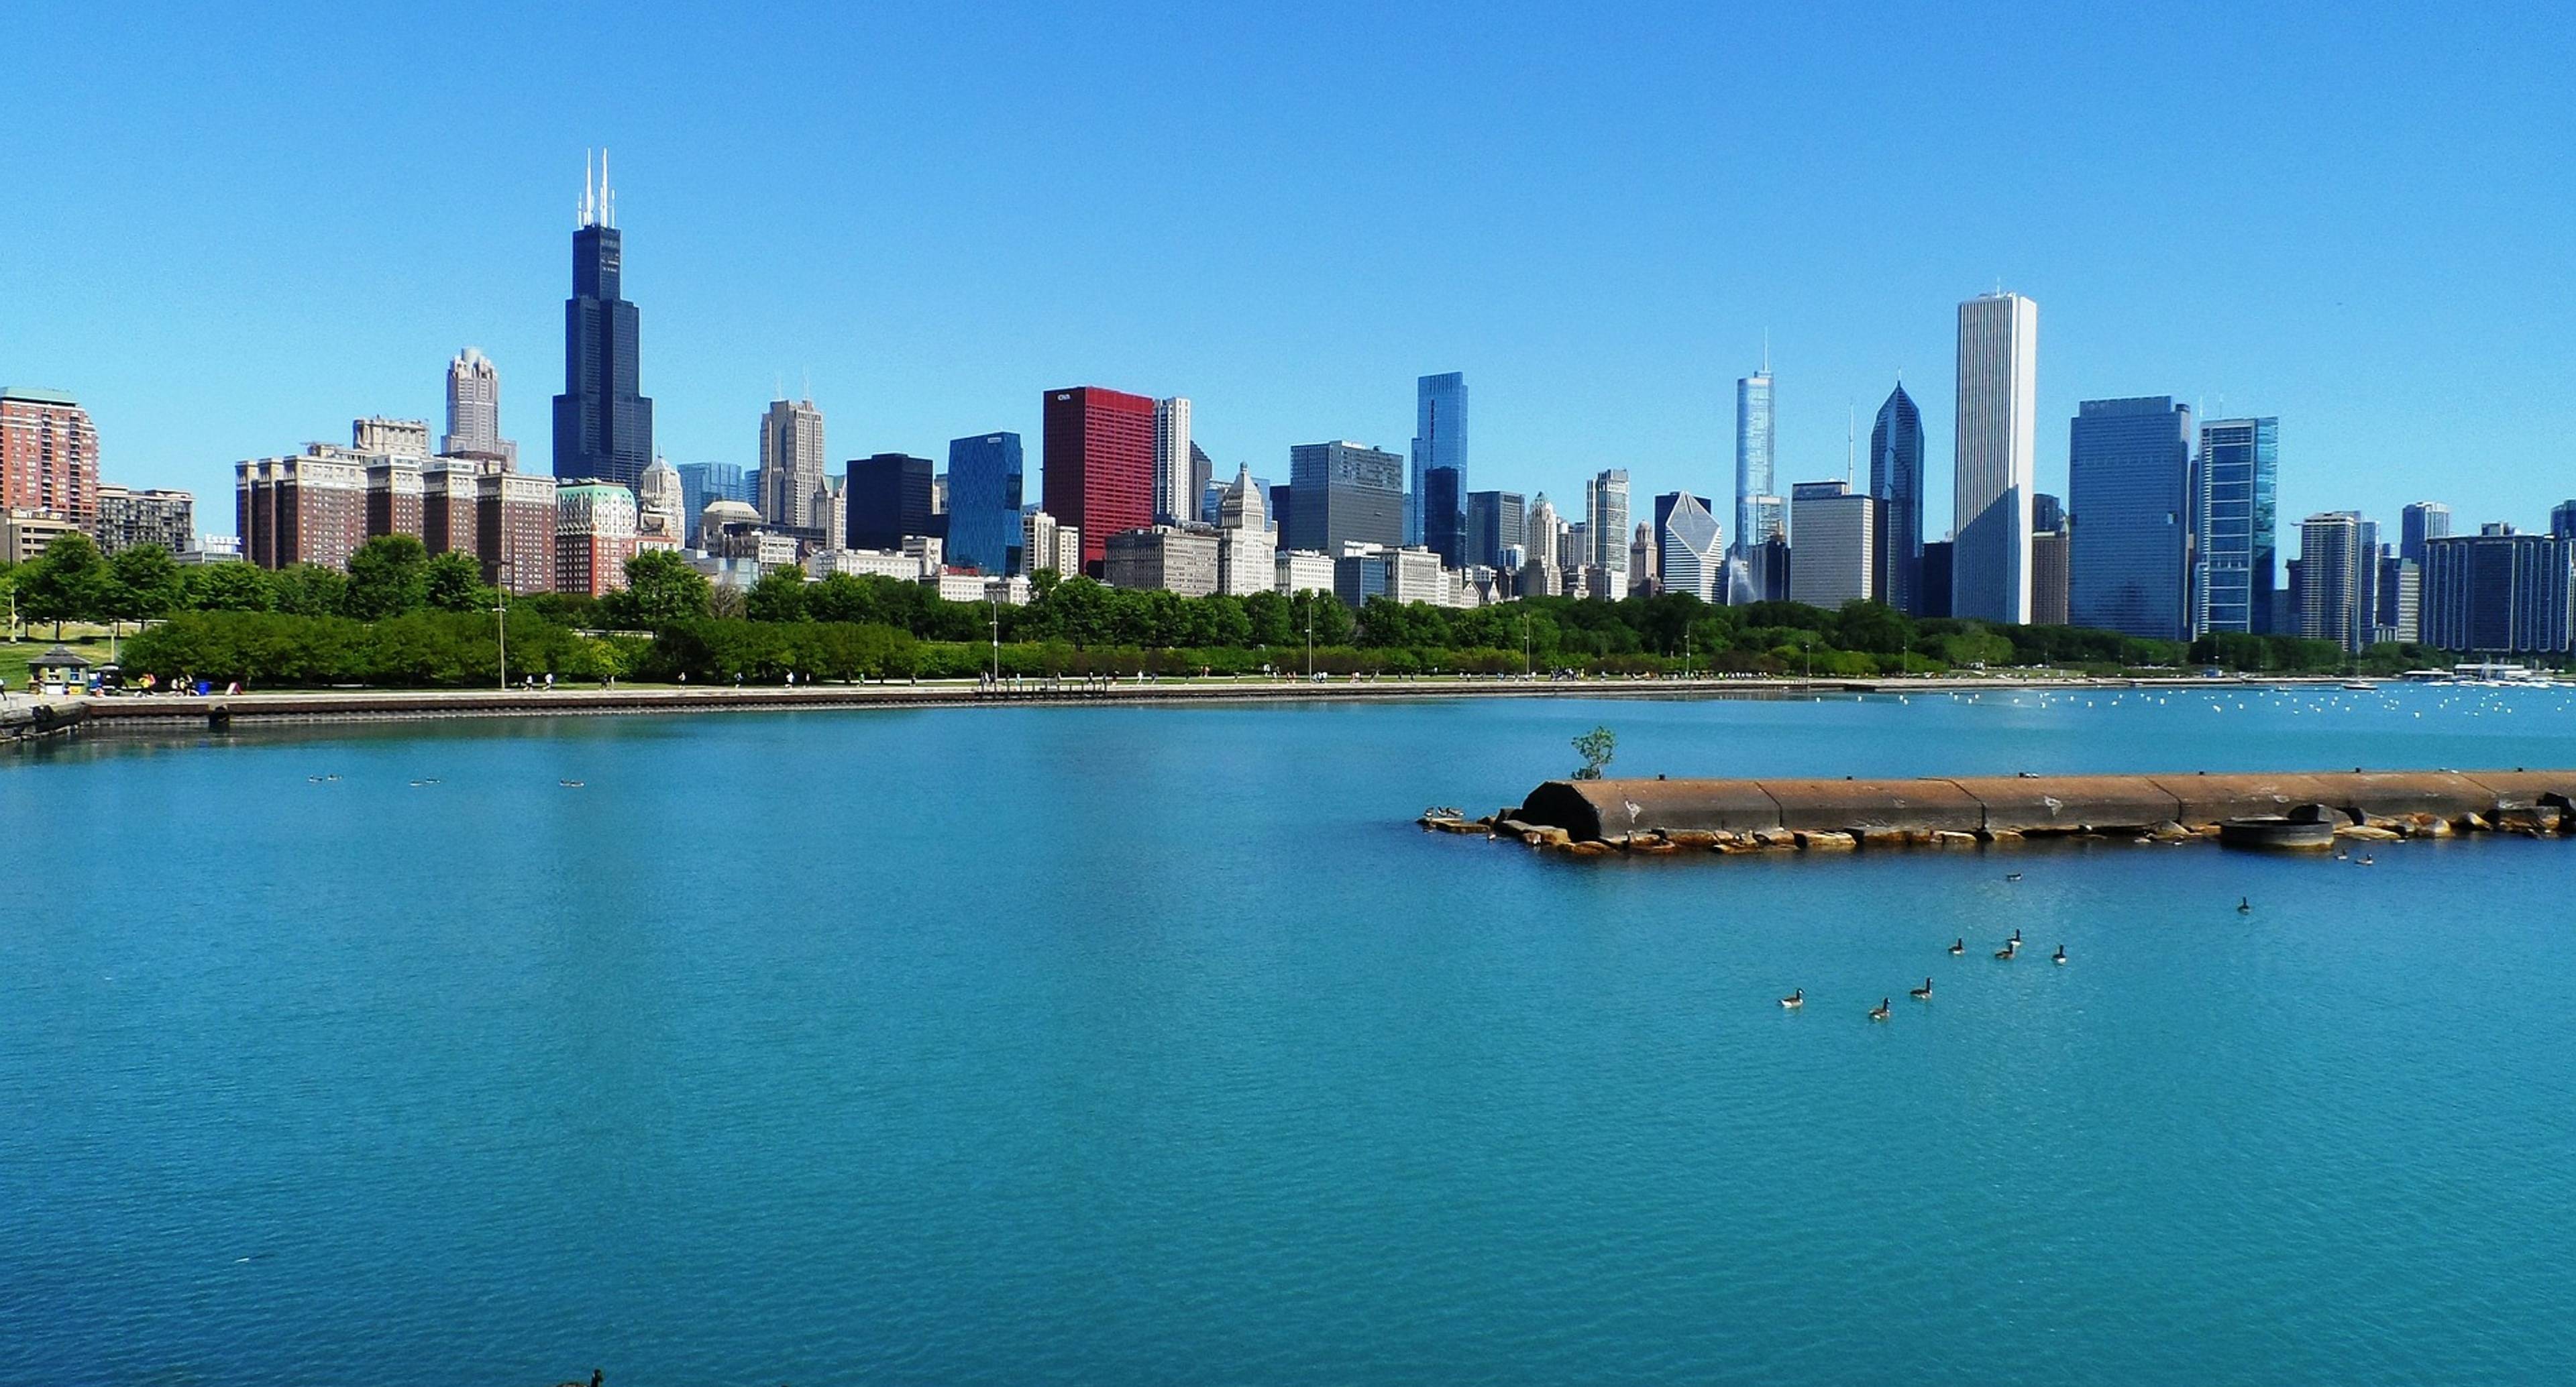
[{"x": 231, "y": 230}]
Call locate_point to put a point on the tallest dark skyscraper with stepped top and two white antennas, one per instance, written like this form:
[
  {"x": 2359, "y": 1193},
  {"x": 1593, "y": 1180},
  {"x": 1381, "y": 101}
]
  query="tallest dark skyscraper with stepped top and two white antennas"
[{"x": 601, "y": 426}]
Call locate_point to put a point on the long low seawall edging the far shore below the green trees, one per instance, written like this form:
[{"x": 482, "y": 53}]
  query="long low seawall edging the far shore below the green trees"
[{"x": 158, "y": 714}]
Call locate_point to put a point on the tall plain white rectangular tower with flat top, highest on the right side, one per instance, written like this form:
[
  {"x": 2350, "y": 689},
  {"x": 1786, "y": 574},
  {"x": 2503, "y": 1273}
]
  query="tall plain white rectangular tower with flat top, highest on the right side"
[{"x": 1998, "y": 457}]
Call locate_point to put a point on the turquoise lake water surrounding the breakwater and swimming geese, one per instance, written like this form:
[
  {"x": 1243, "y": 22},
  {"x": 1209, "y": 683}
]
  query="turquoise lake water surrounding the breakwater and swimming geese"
[{"x": 1155, "y": 1046}]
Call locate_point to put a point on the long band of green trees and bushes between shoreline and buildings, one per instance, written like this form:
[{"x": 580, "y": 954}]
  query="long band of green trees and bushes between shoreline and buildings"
[{"x": 401, "y": 616}]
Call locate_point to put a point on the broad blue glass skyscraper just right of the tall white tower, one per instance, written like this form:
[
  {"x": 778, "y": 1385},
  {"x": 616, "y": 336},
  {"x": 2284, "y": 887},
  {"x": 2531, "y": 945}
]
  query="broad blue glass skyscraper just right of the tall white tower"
[{"x": 2129, "y": 470}]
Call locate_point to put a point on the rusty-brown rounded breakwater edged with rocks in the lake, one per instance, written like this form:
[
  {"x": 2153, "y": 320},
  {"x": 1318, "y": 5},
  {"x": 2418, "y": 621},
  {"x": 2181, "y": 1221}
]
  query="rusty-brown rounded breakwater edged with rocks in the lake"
[{"x": 1604, "y": 817}]
